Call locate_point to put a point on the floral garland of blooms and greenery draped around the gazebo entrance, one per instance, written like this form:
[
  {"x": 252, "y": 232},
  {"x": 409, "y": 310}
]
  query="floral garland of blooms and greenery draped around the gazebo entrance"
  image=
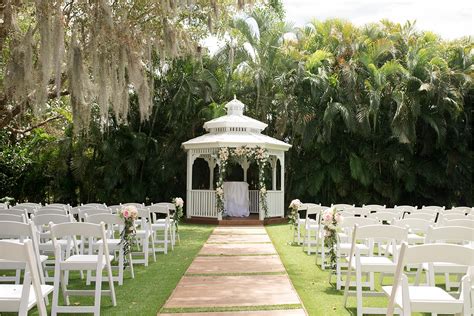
[{"x": 257, "y": 154}]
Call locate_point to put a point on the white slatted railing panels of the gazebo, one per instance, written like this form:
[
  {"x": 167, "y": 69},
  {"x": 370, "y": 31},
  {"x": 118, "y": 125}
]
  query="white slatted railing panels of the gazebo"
[{"x": 202, "y": 203}]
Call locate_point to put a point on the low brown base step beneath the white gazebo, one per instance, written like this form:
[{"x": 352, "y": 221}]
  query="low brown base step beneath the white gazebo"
[{"x": 252, "y": 220}]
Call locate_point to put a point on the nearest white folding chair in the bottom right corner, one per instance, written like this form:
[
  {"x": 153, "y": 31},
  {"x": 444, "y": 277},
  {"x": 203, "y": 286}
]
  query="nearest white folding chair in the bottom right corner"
[{"x": 430, "y": 299}]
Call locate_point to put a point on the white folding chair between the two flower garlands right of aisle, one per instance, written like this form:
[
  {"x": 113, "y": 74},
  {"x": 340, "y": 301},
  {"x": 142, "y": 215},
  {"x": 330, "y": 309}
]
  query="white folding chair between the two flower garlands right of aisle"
[{"x": 312, "y": 227}]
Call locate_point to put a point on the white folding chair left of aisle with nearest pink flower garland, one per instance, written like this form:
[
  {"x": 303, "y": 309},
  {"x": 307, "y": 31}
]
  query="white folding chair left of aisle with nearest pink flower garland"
[{"x": 112, "y": 224}]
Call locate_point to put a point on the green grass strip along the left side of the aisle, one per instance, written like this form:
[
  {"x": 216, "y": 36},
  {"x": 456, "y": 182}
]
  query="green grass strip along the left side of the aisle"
[{"x": 148, "y": 292}]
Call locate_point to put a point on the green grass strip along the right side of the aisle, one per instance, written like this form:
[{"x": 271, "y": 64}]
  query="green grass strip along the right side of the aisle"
[{"x": 312, "y": 284}]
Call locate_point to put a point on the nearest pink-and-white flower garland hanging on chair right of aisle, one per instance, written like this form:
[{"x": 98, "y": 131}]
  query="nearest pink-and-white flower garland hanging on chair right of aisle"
[{"x": 331, "y": 219}]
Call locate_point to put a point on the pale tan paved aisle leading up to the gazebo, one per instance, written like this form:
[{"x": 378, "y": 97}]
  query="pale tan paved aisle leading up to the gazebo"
[{"x": 237, "y": 272}]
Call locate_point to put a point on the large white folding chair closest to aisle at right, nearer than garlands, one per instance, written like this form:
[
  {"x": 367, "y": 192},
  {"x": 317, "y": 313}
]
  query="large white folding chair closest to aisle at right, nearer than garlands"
[{"x": 371, "y": 263}]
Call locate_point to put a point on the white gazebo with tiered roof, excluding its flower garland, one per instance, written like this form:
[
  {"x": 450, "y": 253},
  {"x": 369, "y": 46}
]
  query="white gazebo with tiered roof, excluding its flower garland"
[{"x": 234, "y": 130}]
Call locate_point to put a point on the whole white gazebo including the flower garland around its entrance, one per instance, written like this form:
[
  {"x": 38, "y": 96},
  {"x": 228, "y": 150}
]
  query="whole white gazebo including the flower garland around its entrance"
[{"x": 236, "y": 138}]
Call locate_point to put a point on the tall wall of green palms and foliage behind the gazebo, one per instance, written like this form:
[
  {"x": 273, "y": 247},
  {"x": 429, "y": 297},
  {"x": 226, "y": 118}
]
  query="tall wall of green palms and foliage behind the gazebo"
[{"x": 376, "y": 114}]
